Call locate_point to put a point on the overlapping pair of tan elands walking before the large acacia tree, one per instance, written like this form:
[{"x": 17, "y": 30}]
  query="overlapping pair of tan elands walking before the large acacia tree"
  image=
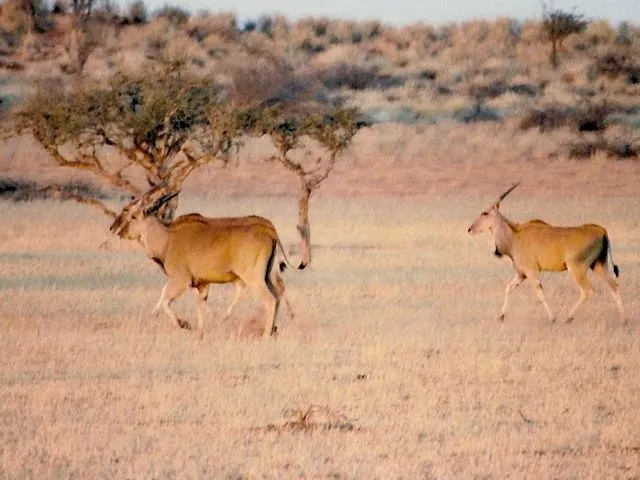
[{"x": 195, "y": 251}]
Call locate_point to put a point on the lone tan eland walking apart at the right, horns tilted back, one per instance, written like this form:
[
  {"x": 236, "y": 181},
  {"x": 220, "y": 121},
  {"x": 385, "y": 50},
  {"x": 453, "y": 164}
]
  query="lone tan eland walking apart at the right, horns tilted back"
[{"x": 536, "y": 246}]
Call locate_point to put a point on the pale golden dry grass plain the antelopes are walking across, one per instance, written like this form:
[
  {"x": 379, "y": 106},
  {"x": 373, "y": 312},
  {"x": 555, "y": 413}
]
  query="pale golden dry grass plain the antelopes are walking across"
[{"x": 395, "y": 354}]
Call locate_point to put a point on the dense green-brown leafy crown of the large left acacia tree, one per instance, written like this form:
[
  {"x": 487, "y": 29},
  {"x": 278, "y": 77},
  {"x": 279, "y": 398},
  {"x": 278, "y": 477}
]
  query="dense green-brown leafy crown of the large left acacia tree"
[{"x": 162, "y": 108}]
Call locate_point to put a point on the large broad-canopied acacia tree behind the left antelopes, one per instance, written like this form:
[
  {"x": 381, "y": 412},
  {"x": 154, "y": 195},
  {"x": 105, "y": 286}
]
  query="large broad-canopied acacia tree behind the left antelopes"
[{"x": 158, "y": 122}]
